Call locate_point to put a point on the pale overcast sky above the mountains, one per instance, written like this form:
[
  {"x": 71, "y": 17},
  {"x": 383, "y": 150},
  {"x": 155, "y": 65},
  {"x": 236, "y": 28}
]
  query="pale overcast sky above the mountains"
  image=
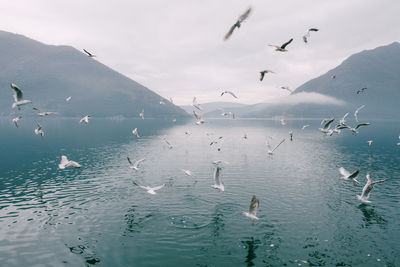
[{"x": 176, "y": 47}]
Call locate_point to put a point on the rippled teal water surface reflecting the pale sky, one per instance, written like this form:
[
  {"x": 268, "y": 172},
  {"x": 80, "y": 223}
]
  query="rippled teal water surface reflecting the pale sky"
[{"x": 96, "y": 215}]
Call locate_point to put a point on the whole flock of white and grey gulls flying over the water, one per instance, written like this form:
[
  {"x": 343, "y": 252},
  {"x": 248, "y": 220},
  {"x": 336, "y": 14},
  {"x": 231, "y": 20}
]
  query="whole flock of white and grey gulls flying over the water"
[{"x": 254, "y": 203}]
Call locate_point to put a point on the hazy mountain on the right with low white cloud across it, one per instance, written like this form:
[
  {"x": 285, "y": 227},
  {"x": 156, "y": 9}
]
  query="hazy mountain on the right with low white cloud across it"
[{"x": 335, "y": 92}]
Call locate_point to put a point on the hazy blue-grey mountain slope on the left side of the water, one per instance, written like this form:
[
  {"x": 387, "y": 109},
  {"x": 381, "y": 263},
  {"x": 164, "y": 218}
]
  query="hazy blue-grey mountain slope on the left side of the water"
[{"x": 48, "y": 74}]
